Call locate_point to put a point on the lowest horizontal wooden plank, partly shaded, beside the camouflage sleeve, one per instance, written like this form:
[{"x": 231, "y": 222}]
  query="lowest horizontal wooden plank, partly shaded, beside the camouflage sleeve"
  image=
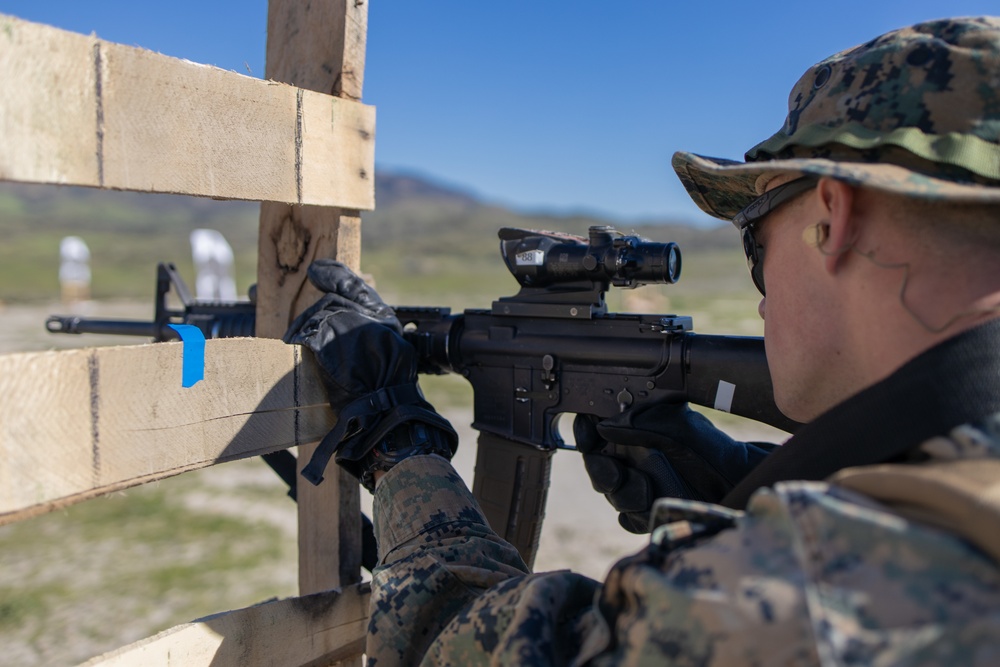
[{"x": 316, "y": 629}]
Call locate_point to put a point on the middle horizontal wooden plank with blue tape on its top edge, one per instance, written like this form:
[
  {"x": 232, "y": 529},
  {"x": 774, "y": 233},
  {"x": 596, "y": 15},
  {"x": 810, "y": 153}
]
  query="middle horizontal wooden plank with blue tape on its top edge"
[{"x": 75, "y": 424}]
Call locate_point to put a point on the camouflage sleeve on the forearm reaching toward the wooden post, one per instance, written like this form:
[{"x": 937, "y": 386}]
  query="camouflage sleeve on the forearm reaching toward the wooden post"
[{"x": 449, "y": 591}]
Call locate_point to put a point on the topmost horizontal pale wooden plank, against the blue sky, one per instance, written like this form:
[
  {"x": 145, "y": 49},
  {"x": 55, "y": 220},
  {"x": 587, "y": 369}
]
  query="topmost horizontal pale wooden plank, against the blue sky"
[{"x": 78, "y": 110}]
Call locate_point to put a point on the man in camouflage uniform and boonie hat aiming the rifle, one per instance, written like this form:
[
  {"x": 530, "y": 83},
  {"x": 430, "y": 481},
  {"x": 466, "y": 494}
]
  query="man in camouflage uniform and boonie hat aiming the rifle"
[{"x": 872, "y": 537}]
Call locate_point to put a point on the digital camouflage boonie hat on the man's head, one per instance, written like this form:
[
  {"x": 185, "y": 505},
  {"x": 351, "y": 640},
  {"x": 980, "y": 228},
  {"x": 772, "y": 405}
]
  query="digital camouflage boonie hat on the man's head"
[{"x": 914, "y": 112}]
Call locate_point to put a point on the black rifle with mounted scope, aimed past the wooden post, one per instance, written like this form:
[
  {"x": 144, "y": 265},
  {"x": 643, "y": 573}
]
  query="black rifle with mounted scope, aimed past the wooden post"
[{"x": 552, "y": 348}]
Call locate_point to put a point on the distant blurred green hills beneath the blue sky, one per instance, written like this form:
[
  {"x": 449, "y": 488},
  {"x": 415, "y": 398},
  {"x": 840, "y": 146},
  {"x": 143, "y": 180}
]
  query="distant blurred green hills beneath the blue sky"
[{"x": 417, "y": 221}]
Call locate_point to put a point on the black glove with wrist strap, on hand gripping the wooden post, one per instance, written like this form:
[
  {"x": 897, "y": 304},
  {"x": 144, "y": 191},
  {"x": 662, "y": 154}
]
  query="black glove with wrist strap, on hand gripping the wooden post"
[{"x": 370, "y": 375}]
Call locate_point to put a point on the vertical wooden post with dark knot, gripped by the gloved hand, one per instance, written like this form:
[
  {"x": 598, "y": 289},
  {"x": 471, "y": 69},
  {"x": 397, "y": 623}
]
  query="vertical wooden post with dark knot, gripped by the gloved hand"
[{"x": 317, "y": 45}]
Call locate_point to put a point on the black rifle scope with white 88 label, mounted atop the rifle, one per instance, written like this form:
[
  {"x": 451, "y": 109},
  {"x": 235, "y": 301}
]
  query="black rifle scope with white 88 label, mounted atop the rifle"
[{"x": 544, "y": 259}]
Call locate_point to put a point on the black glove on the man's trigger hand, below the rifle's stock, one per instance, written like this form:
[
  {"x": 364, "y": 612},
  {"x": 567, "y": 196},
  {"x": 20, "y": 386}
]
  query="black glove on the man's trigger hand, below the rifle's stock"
[{"x": 658, "y": 451}]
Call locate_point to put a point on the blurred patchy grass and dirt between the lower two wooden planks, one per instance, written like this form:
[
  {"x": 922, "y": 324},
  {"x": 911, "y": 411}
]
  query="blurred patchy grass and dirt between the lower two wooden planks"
[{"x": 99, "y": 575}]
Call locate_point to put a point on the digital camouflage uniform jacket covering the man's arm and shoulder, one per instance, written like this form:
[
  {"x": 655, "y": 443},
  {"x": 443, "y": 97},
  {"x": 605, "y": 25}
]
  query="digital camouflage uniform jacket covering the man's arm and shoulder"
[{"x": 811, "y": 573}]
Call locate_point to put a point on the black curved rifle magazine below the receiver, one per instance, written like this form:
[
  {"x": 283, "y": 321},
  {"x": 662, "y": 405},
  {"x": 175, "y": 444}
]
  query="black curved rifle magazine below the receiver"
[{"x": 511, "y": 485}]
